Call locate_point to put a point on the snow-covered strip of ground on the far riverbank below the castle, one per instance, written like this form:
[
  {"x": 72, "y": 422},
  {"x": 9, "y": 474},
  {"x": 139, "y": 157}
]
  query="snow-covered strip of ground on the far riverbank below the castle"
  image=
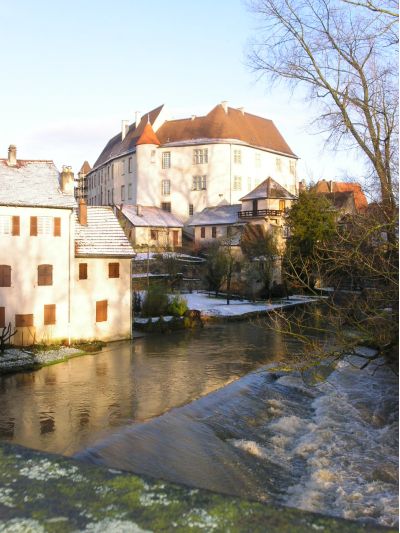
[{"x": 211, "y": 306}]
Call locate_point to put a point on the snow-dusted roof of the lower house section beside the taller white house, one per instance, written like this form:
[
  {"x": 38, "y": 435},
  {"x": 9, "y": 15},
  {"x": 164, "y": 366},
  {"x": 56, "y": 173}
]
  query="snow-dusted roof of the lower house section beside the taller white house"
[{"x": 102, "y": 236}]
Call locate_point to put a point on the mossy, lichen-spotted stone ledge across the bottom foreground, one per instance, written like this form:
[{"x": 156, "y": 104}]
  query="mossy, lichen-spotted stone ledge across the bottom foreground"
[{"x": 49, "y": 493}]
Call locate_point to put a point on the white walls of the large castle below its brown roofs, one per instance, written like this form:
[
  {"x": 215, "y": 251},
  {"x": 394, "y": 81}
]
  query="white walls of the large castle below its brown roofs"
[{"x": 189, "y": 175}]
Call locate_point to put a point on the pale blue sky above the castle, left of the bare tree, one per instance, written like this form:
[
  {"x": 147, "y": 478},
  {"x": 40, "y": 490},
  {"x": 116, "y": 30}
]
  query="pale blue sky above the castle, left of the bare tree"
[{"x": 72, "y": 70}]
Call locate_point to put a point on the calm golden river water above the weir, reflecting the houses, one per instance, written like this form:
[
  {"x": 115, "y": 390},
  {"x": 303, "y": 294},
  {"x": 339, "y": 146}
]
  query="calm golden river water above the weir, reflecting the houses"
[{"x": 65, "y": 407}]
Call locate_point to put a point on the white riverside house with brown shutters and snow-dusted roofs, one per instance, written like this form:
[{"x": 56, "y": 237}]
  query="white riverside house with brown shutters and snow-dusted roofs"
[{"x": 64, "y": 273}]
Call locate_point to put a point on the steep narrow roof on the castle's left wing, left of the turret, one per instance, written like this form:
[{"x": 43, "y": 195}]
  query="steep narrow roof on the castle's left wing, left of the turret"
[{"x": 116, "y": 146}]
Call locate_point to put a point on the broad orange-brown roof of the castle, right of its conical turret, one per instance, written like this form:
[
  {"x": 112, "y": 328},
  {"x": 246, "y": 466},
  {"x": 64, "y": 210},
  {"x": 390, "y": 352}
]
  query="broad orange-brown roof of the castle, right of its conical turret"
[{"x": 220, "y": 125}]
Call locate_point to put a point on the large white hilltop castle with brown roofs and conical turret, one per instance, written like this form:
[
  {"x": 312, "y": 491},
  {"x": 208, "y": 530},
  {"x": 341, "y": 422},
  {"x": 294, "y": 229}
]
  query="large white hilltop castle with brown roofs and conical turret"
[{"x": 186, "y": 165}]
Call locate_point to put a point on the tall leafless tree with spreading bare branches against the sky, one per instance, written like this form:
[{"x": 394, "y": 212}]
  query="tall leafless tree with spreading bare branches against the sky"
[{"x": 345, "y": 53}]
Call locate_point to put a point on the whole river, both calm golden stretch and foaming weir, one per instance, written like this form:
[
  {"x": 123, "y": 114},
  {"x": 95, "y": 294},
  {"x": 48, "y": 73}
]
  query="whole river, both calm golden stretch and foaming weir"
[{"x": 200, "y": 408}]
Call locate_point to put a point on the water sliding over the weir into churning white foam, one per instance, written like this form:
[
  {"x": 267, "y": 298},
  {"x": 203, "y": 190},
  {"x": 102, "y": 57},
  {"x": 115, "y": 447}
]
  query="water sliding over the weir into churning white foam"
[{"x": 330, "y": 448}]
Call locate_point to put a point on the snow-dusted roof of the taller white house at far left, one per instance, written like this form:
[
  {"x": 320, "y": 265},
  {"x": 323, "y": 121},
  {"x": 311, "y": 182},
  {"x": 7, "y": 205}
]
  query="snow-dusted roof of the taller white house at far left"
[{"x": 32, "y": 183}]
